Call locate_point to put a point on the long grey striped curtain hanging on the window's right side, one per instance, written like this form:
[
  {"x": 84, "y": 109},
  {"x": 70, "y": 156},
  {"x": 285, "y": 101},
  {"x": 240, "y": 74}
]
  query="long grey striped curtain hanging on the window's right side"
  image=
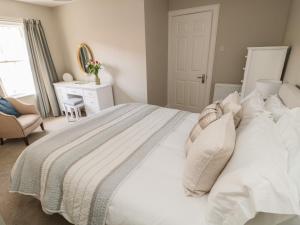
[{"x": 43, "y": 69}]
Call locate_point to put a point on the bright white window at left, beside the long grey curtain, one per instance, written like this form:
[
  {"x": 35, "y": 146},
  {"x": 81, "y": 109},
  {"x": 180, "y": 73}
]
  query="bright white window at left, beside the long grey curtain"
[{"x": 15, "y": 71}]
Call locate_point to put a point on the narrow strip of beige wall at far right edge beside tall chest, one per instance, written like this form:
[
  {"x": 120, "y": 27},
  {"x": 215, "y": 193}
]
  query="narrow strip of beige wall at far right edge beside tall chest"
[{"x": 292, "y": 38}]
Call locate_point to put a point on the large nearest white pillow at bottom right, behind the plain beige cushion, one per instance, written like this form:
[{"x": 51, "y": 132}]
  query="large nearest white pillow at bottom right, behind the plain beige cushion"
[{"x": 255, "y": 179}]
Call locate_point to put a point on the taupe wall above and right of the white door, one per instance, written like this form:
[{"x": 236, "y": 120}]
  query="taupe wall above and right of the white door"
[{"x": 242, "y": 23}]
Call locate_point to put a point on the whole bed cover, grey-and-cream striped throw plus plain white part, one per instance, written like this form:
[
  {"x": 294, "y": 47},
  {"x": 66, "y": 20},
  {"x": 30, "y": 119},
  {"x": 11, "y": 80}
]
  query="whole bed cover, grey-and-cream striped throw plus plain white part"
[{"x": 120, "y": 167}]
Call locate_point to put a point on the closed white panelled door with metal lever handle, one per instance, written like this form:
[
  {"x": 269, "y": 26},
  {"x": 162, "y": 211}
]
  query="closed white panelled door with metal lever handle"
[{"x": 191, "y": 50}]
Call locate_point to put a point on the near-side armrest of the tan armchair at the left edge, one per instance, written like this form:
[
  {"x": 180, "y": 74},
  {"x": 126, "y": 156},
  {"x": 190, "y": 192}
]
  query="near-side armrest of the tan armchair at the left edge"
[{"x": 10, "y": 127}]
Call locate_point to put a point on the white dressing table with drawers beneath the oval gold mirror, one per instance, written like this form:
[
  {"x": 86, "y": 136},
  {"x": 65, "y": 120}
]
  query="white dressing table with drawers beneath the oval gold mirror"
[{"x": 95, "y": 97}]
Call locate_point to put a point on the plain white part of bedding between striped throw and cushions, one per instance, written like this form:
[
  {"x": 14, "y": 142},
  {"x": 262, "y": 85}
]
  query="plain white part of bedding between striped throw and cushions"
[{"x": 153, "y": 194}]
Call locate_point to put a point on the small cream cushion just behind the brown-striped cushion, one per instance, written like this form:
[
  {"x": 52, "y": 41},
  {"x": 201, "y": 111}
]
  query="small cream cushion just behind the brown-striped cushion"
[{"x": 232, "y": 103}]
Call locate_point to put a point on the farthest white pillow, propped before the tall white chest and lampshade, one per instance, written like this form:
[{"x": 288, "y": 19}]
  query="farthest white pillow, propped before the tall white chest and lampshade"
[{"x": 253, "y": 105}]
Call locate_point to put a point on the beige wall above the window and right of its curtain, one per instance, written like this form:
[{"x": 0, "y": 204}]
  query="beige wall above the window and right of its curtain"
[{"x": 9, "y": 8}]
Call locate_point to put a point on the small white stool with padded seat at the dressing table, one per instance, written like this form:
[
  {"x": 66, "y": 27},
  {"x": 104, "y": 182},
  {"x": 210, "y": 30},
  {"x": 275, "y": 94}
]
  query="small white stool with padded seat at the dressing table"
[{"x": 73, "y": 105}]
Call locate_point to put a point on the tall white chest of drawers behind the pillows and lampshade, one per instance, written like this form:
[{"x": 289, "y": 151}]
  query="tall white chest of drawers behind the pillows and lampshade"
[{"x": 263, "y": 63}]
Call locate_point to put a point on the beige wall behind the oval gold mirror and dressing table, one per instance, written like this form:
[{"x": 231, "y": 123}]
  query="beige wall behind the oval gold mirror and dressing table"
[{"x": 115, "y": 30}]
